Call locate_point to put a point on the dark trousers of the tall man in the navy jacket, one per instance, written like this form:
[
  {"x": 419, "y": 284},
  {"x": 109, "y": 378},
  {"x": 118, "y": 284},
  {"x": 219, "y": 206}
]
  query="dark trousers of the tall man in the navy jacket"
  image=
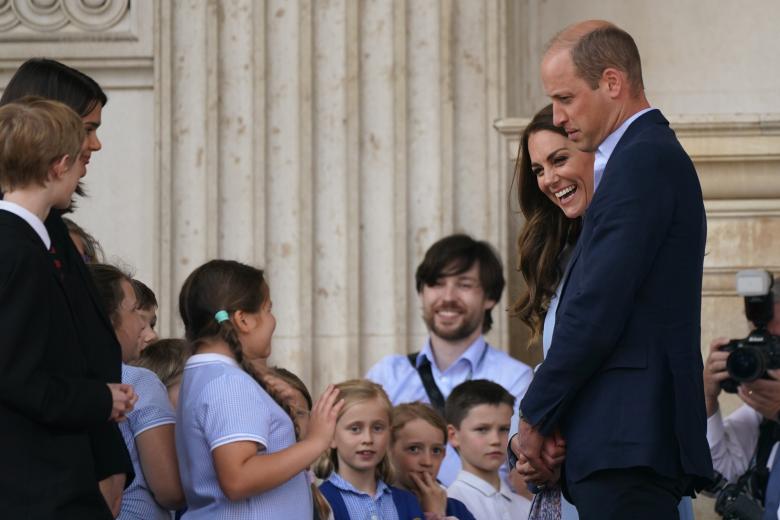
[{"x": 627, "y": 493}]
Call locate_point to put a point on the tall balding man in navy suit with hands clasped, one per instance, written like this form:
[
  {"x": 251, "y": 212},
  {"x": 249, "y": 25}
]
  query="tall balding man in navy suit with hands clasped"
[{"x": 622, "y": 381}]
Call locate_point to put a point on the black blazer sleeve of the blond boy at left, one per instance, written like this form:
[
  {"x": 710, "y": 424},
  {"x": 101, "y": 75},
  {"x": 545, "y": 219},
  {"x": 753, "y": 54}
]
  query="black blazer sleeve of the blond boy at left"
[{"x": 26, "y": 384}]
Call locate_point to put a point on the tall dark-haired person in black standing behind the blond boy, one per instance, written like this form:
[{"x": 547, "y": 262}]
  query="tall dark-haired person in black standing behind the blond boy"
[{"x": 102, "y": 354}]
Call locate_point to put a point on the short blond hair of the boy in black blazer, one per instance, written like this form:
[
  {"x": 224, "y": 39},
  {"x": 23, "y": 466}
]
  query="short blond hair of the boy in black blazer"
[{"x": 35, "y": 133}]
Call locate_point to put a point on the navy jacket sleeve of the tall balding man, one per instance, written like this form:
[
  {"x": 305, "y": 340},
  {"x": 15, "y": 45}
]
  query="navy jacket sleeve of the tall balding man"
[{"x": 629, "y": 218}]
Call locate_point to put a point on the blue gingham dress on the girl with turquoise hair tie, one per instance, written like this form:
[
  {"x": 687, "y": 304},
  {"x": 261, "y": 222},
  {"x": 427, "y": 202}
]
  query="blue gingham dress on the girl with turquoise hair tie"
[{"x": 219, "y": 404}]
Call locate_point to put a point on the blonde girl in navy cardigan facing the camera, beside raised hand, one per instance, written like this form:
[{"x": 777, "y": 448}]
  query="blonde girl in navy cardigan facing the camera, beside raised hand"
[{"x": 357, "y": 467}]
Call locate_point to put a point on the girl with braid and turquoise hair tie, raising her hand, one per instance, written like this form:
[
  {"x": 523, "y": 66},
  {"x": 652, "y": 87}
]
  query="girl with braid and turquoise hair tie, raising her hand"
[{"x": 237, "y": 448}]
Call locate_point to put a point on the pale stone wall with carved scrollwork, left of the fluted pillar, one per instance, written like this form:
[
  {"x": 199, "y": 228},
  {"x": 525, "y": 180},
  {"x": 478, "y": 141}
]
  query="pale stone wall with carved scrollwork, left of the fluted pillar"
[{"x": 114, "y": 42}]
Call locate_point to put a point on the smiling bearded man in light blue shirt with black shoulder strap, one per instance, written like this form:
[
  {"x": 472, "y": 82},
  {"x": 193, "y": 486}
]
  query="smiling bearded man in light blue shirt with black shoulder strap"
[{"x": 459, "y": 282}]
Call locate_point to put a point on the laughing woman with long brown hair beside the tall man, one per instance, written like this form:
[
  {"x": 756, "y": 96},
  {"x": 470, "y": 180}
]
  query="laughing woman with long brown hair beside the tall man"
[{"x": 555, "y": 186}]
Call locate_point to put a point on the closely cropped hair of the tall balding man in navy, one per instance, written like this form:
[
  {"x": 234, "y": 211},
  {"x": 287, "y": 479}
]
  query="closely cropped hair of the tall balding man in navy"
[{"x": 604, "y": 45}]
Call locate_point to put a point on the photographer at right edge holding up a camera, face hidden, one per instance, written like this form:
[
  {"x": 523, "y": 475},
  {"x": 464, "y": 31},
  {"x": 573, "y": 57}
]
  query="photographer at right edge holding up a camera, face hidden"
[{"x": 747, "y": 440}]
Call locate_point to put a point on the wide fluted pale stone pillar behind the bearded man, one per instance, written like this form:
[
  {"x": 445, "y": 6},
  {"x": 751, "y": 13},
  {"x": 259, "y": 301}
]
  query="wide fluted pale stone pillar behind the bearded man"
[{"x": 332, "y": 143}]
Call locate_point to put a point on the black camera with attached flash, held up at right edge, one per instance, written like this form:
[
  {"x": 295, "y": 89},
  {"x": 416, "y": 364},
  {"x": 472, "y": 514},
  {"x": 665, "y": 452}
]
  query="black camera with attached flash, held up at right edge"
[{"x": 751, "y": 357}]
